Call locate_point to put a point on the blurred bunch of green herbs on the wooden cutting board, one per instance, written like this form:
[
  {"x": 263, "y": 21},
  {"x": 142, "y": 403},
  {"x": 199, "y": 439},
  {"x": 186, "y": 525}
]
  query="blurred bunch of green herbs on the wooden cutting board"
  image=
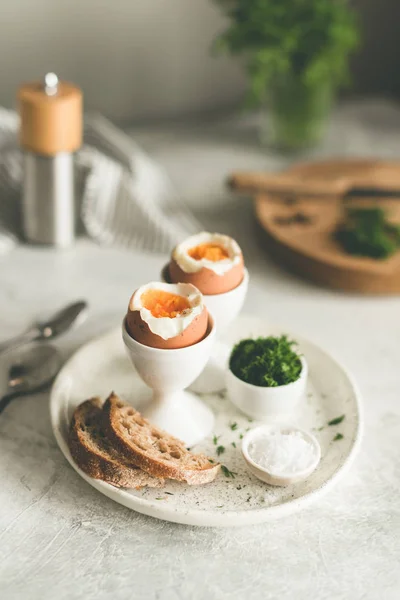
[{"x": 368, "y": 232}]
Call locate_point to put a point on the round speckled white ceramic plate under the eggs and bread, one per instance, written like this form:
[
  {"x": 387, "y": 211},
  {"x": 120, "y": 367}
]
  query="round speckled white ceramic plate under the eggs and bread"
[{"x": 102, "y": 366}]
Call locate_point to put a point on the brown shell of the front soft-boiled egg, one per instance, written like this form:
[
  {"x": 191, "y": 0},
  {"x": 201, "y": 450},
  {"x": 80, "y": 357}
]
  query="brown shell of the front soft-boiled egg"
[{"x": 141, "y": 332}]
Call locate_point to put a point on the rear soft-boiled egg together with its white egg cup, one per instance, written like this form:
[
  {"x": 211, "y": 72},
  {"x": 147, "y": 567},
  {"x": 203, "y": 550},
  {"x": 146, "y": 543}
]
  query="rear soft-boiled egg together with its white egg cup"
[{"x": 213, "y": 262}]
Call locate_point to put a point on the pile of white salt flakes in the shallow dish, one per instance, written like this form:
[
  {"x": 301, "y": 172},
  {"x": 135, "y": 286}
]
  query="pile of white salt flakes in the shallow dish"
[{"x": 282, "y": 452}]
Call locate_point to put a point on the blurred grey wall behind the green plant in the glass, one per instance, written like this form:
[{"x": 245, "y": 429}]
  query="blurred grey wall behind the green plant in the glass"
[{"x": 150, "y": 58}]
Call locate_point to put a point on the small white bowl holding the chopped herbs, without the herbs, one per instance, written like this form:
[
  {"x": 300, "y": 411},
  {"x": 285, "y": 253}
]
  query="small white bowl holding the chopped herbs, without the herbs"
[{"x": 265, "y": 402}]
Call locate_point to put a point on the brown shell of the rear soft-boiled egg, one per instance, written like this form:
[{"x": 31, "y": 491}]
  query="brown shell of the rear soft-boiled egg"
[{"x": 206, "y": 280}]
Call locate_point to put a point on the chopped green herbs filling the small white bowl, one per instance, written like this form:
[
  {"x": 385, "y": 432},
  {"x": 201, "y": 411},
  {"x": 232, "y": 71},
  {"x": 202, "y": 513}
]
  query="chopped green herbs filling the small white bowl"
[{"x": 266, "y": 362}]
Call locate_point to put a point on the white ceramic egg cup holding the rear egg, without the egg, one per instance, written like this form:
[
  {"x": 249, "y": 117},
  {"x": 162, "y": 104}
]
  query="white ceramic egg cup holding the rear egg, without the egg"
[{"x": 224, "y": 308}]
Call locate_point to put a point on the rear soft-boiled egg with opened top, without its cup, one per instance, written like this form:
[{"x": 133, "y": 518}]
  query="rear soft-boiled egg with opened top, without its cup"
[{"x": 211, "y": 261}]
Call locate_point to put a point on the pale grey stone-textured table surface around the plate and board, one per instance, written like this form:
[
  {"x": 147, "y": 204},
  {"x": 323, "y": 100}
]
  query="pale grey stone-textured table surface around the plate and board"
[{"x": 59, "y": 538}]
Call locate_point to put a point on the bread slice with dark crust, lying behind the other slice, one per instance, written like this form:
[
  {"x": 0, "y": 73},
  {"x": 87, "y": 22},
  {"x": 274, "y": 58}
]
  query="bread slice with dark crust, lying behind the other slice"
[{"x": 94, "y": 454}]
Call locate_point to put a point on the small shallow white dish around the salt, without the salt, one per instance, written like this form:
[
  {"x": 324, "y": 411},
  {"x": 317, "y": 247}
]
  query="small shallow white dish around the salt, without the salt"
[{"x": 279, "y": 479}]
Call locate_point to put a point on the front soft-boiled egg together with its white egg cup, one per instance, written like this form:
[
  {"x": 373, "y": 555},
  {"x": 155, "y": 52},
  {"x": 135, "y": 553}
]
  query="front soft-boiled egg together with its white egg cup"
[{"x": 169, "y": 334}]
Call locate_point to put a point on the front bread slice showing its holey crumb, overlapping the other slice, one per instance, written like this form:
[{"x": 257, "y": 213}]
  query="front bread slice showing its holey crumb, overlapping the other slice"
[{"x": 153, "y": 450}]
